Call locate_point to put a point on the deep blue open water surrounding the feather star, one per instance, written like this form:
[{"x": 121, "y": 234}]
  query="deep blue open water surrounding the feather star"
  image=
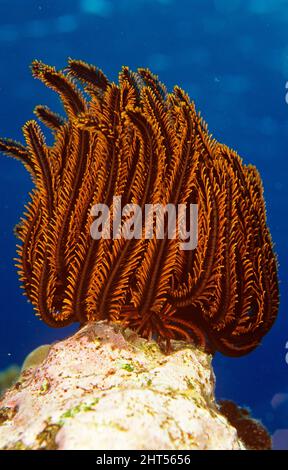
[{"x": 231, "y": 56}]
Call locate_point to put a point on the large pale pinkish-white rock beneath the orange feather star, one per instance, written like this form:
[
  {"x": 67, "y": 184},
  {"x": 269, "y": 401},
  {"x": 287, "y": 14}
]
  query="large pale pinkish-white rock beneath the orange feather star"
[{"x": 106, "y": 388}]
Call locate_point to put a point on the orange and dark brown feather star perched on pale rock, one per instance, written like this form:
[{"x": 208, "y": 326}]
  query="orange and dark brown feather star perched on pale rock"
[{"x": 138, "y": 142}]
